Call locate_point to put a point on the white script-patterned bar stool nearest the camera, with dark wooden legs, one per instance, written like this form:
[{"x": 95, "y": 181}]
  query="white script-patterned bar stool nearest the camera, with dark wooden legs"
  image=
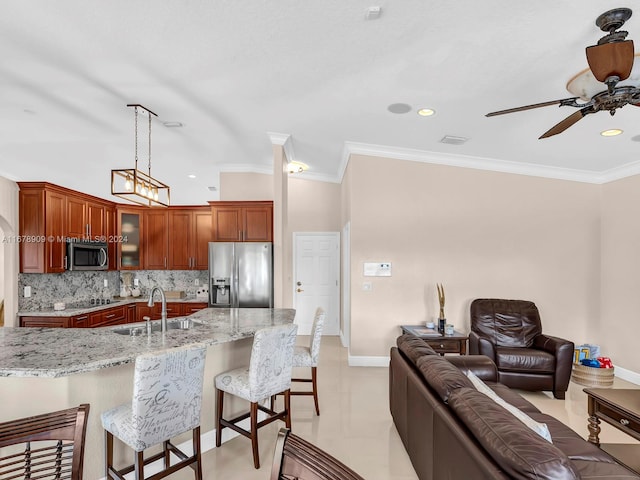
[{"x": 167, "y": 399}]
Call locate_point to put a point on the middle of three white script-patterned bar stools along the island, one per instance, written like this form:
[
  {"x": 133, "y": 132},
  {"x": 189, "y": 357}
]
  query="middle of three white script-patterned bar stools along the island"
[{"x": 268, "y": 373}]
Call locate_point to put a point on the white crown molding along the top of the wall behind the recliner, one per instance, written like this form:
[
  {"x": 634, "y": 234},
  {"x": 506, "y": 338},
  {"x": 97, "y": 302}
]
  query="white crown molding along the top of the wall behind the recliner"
[{"x": 480, "y": 163}]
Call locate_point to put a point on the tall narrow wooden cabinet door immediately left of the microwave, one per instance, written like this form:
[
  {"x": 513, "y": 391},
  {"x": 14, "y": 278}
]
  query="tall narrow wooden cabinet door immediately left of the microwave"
[{"x": 55, "y": 231}]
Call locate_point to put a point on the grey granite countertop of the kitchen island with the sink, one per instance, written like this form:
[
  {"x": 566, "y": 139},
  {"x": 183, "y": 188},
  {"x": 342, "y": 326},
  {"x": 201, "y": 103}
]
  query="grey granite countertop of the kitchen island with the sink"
[{"x": 59, "y": 352}]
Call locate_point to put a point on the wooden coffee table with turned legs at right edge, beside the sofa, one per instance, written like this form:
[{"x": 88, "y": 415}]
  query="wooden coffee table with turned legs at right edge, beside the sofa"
[{"x": 620, "y": 408}]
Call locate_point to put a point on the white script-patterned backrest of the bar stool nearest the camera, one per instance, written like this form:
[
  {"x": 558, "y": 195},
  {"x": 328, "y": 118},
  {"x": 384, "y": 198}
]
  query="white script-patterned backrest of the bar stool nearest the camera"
[{"x": 167, "y": 393}]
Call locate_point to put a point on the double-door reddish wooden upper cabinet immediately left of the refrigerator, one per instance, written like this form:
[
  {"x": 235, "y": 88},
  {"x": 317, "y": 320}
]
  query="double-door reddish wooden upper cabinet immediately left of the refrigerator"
[{"x": 190, "y": 232}]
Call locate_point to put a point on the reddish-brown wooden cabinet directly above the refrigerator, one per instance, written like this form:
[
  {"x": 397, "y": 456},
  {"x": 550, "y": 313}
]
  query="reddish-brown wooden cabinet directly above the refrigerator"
[{"x": 242, "y": 221}]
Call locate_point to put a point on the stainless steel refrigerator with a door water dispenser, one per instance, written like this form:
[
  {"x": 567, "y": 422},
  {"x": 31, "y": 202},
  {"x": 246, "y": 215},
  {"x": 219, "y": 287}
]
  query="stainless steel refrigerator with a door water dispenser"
[{"x": 240, "y": 274}]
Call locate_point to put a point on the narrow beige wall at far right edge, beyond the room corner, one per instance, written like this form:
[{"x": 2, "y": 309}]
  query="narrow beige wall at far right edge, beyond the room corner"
[{"x": 616, "y": 327}]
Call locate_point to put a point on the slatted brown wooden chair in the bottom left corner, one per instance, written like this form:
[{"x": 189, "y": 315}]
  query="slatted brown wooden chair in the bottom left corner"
[{"x": 53, "y": 445}]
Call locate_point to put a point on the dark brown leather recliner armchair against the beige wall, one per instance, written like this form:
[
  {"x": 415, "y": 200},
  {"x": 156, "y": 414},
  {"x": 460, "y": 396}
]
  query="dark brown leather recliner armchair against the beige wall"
[{"x": 510, "y": 333}]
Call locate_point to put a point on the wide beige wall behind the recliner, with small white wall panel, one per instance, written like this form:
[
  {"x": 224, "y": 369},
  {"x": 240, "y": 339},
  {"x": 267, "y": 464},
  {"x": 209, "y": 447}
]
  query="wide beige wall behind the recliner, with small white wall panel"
[{"x": 480, "y": 234}]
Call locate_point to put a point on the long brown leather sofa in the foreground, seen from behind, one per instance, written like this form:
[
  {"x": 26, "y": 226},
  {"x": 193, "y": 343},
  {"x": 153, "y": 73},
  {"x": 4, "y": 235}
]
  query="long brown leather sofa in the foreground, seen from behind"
[{"x": 452, "y": 431}]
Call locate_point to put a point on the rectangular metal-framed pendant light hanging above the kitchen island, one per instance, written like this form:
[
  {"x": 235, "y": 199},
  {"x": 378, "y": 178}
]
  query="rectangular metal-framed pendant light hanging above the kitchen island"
[{"x": 135, "y": 185}]
